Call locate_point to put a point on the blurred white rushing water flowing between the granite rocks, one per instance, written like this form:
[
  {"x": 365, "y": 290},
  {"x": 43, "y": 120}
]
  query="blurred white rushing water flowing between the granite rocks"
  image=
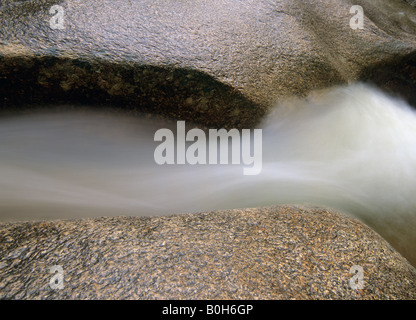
[{"x": 350, "y": 148}]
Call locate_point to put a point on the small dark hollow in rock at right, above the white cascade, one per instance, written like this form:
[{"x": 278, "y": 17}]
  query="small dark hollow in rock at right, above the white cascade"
[{"x": 396, "y": 76}]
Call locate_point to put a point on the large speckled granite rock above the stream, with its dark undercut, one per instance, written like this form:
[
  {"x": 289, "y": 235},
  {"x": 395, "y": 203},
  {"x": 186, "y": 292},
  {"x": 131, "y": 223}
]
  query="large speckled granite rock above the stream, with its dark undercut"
[{"x": 220, "y": 63}]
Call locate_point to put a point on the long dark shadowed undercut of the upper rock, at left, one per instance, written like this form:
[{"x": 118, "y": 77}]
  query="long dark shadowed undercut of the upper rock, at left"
[{"x": 176, "y": 93}]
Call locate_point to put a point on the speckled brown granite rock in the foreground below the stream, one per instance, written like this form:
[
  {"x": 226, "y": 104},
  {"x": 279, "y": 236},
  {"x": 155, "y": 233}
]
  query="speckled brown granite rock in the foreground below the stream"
[{"x": 286, "y": 252}]
